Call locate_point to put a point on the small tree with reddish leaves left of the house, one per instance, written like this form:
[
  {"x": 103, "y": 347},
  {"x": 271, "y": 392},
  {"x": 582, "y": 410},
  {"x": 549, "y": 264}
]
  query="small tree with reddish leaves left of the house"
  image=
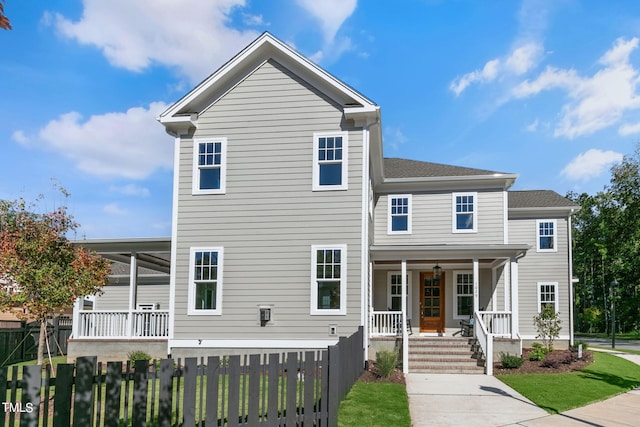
[{"x": 43, "y": 273}]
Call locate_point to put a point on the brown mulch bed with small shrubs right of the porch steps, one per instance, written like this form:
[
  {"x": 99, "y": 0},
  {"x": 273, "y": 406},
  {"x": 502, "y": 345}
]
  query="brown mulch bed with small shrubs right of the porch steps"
[{"x": 556, "y": 362}]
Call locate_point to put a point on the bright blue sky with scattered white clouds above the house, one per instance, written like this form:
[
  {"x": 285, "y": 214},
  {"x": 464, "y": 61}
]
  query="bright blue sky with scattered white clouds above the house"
[{"x": 545, "y": 89}]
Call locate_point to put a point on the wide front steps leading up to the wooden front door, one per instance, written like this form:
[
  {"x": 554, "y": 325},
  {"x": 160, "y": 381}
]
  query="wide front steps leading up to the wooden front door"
[{"x": 444, "y": 355}]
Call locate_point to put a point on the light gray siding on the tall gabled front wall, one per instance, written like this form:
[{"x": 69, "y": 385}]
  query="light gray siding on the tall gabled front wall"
[{"x": 269, "y": 217}]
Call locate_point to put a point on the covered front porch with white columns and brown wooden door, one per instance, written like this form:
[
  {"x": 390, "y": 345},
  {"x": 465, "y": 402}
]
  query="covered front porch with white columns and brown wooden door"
[{"x": 437, "y": 290}]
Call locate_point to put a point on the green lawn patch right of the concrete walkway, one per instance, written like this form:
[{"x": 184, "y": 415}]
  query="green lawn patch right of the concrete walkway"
[{"x": 606, "y": 377}]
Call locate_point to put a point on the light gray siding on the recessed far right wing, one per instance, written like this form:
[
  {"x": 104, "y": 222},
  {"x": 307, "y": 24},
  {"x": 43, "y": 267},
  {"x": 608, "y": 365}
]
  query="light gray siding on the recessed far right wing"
[{"x": 538, "y": 267}]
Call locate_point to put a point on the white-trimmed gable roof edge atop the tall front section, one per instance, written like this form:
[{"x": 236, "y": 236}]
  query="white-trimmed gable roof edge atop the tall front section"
[{"x": 183, "y": 114}]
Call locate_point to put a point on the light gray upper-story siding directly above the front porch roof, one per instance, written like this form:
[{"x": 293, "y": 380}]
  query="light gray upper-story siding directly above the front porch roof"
[{"x": 432, "y": 215}]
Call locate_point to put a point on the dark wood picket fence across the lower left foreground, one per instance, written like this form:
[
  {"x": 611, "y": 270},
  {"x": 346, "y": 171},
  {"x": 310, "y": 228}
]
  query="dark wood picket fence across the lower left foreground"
[{"x": 292, "y": 389}]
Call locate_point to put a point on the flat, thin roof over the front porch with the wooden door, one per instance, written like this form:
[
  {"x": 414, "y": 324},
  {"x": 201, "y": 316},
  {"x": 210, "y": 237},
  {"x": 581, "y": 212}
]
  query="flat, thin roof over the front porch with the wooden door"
[{"x": 446, "y": 252}]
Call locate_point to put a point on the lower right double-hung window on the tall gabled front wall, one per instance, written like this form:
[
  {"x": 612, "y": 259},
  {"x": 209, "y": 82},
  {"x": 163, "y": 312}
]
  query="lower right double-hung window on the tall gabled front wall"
[{"x": 328, "y": 279}]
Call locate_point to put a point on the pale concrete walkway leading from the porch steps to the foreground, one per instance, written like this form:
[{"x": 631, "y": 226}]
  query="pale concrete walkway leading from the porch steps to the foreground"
[{"x": 482, "y": 400}]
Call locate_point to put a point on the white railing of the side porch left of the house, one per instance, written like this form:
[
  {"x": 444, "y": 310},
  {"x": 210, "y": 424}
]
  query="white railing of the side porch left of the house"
[{"x": 116, "y": 324}]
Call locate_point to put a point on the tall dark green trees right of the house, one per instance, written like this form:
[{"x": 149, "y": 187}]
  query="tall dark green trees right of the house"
[{"x": 607, "y": 247}]
